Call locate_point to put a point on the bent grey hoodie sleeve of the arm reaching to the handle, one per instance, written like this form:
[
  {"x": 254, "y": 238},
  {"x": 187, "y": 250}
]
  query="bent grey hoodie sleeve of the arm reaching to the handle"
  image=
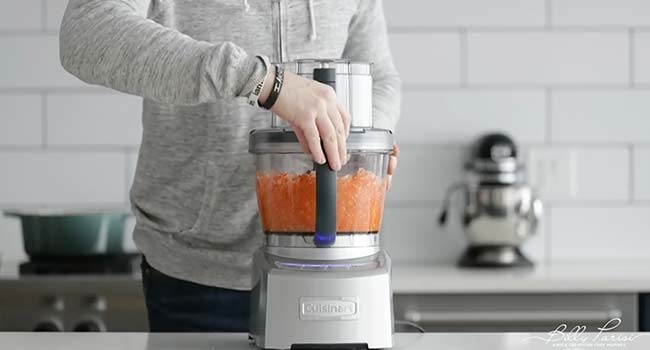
[{"x": 112, "y": 43}]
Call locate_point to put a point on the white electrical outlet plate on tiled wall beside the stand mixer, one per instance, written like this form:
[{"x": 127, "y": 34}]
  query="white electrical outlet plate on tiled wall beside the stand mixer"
[{"x": 552, "y": 172}]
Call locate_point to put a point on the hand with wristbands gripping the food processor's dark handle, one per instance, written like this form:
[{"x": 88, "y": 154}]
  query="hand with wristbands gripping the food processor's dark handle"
[{"x": 314, "y": 114}]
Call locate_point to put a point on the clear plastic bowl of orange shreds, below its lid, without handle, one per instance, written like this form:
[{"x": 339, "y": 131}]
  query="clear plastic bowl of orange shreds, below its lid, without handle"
[{"x": 286, "y": 193}]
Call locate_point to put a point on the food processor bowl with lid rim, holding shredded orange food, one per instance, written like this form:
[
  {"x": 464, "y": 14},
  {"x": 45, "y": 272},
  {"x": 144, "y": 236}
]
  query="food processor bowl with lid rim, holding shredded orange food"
[{"x": 286, "y": 183}]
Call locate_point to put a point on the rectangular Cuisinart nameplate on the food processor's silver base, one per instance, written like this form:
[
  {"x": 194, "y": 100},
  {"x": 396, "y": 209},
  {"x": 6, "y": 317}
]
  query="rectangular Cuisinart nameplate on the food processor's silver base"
[{"x": 329, "y": 308}]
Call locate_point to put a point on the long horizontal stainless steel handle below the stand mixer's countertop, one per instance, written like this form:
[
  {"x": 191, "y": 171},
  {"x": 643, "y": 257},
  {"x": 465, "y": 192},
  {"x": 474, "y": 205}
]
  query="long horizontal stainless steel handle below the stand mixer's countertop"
[{"x": 519, "y": 316}]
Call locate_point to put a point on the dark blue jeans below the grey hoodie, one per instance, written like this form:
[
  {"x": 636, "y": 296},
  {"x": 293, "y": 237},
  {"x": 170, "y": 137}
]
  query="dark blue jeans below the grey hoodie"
[{"x": 175, "y": 305}]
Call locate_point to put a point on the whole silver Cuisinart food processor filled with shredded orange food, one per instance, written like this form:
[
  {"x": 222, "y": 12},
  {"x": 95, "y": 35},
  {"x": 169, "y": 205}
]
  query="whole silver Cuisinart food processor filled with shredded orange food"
[{"x": 321, "y": 279}]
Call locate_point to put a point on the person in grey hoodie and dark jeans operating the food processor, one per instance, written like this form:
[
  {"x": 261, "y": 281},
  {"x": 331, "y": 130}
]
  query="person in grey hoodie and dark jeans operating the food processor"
[{"x": 202, "y": 68}]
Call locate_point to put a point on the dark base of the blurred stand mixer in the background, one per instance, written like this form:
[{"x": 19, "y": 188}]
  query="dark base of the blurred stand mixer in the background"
[{"x": 493, "y": 256}]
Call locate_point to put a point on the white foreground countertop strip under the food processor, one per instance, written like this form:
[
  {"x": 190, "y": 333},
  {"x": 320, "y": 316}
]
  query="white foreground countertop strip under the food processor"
[{"x": 238, "y": 341}]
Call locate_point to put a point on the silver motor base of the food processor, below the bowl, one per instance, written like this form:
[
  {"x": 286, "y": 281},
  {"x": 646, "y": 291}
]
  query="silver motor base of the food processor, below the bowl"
[{"x": 308, "y": 304}]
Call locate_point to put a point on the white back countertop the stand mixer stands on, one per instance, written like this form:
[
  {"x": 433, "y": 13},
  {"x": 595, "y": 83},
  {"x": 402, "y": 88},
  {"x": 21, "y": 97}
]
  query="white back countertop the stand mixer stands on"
[{"x": 563, "y": 277}]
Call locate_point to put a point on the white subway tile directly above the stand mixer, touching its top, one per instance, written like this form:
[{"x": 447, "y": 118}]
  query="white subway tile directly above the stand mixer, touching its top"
[{"x": 458, "y": 116}]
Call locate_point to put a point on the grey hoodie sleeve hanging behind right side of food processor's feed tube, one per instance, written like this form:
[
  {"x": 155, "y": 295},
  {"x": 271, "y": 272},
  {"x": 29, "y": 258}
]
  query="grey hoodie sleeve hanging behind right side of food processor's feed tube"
[{"x": 368, "y": 42}]
